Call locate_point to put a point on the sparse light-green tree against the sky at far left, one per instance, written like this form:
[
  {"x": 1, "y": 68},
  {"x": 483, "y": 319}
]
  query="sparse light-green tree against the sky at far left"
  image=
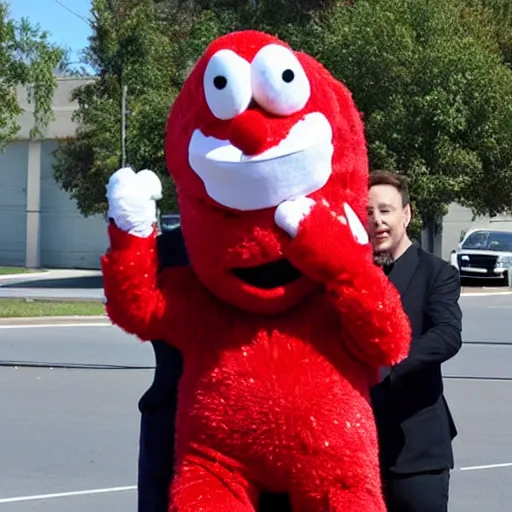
[{"x": 27, "y": 58}]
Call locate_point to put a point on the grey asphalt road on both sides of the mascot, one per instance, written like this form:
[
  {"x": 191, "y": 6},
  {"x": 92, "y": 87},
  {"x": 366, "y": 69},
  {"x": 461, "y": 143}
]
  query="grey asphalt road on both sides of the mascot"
[{"x": 75, "y": 430}]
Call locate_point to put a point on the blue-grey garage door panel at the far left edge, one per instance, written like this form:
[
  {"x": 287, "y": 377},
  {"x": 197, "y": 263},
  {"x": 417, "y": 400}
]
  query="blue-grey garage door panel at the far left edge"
[{"x": 13, "y": 201}]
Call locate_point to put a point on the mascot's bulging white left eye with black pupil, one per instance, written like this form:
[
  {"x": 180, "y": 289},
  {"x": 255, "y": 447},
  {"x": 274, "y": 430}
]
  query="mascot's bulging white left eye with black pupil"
[{"x": 227, "y": 84}]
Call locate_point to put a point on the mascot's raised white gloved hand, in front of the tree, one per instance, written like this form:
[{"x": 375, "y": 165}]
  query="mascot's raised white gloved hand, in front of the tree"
[{"x": 132, "y": 200}]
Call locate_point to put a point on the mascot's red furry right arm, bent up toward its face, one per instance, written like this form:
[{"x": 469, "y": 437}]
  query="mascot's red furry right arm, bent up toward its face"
[{"x": 370, "y": 307}]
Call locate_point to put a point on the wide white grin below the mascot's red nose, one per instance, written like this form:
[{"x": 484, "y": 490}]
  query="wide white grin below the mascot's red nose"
[{"x": 299, "y": 165}]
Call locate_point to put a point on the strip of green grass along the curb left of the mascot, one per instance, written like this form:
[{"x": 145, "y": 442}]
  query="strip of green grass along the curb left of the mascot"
[{"x": 17, "y": 308}]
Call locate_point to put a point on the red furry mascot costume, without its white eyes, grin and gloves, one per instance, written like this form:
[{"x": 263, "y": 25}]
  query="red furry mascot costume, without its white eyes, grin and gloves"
[{"x": 275, "y": 390}]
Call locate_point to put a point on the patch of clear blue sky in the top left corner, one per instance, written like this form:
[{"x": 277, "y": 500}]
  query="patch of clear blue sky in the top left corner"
[{"x": 66, "y": 29}]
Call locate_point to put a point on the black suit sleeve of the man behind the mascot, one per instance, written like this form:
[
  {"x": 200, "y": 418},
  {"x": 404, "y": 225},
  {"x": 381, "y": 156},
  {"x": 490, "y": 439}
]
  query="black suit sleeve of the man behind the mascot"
[{"x": 443, "y": 340}]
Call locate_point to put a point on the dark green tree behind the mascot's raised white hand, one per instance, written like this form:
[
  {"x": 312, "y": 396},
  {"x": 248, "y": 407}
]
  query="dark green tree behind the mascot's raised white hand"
[{"x": 128, "y": 48}]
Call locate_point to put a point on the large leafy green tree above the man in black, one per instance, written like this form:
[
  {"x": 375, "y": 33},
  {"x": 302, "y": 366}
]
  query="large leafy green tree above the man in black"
[{"x": 435, "y": 95}]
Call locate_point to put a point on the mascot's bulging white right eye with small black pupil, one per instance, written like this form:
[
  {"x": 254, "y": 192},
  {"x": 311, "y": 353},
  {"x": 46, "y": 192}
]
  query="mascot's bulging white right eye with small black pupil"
[{"x": 279, "y": 82}]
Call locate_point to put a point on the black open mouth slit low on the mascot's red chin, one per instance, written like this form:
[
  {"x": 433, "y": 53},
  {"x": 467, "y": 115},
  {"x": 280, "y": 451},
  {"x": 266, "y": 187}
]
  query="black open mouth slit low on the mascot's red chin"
[{"x": 269, "y": 275}]
